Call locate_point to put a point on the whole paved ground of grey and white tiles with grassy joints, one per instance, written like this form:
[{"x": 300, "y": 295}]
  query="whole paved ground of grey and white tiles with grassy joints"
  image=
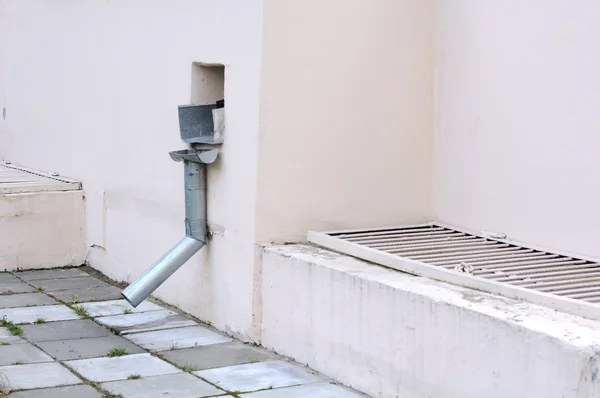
[{"x": 73, "y": 319}]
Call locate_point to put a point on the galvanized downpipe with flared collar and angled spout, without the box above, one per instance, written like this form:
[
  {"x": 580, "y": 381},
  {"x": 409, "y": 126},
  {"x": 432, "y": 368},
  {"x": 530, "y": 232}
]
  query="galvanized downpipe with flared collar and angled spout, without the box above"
[{"x": 194, "y": 162}]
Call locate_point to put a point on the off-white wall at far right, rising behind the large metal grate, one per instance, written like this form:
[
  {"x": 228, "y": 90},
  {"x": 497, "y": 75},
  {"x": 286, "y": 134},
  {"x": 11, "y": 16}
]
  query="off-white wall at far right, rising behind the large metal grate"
[{"x": 517, "y": 127}]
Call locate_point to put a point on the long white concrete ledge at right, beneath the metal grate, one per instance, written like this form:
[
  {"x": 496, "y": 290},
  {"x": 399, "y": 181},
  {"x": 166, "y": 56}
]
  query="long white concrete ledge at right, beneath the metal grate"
[{"x": 395, "y": 335}]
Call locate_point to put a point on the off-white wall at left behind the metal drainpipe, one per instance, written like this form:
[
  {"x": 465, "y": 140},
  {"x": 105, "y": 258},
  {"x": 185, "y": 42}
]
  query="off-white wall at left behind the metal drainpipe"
[{"x": 91, "y": 90}]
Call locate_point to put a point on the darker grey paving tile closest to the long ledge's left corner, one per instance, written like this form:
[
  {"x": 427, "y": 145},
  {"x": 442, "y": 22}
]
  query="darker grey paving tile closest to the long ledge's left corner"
[{"x": 217, "y": 355}]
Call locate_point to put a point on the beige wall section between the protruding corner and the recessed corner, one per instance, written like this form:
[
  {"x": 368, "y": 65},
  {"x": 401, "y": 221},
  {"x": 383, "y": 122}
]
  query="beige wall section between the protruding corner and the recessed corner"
[{"x": 346, "y": 115}]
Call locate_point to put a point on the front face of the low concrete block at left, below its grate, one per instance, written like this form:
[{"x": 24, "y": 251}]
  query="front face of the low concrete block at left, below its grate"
[{"x": 42, "y": 229}]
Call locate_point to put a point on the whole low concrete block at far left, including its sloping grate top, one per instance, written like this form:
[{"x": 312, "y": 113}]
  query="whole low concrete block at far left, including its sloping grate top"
[{"x": 42, "y": 219}]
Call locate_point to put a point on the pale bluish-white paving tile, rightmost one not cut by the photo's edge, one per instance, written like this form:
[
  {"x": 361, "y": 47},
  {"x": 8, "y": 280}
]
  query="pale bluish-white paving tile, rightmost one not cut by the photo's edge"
[{"x": 258, "y": 376}]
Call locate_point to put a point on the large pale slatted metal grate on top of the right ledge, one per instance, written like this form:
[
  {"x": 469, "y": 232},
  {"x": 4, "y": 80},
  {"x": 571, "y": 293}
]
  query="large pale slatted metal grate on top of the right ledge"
[{"x": 558, "y": 281}]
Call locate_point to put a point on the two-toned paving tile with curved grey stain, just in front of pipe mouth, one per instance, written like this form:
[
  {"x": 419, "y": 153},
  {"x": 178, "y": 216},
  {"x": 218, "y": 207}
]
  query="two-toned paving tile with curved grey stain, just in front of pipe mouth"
[{"x": 145, "y": 321}]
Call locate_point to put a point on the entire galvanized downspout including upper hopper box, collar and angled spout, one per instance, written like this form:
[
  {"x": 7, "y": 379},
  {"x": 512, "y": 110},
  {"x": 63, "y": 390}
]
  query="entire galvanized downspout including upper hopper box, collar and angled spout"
[{"x": 194, "y": 166}]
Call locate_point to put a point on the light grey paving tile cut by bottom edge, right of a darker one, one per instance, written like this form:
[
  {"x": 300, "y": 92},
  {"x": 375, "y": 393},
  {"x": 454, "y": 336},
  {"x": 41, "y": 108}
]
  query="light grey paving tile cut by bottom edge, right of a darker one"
[{"x": 181, "y": 385}]
